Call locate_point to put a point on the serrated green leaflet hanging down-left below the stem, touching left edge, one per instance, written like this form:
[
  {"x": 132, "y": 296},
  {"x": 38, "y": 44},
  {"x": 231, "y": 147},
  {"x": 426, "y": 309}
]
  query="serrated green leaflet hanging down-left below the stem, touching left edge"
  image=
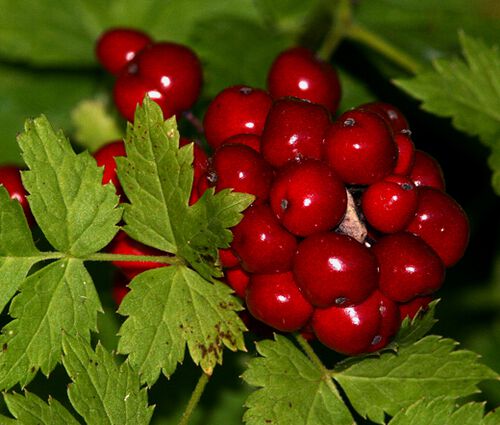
[{"x": 61, "y": 296}]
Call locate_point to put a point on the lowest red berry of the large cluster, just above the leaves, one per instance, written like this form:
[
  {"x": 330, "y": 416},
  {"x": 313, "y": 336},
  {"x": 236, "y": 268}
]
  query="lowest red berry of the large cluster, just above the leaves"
[{"x": 349, "y": 330}]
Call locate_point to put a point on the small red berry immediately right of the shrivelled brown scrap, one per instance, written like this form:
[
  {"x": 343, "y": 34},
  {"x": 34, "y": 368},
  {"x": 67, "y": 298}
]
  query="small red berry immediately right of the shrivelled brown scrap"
[{"x": 390, "y": 204}]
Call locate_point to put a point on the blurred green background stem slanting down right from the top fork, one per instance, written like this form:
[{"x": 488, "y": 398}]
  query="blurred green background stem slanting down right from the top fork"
[{"x": 364, "y": 36}]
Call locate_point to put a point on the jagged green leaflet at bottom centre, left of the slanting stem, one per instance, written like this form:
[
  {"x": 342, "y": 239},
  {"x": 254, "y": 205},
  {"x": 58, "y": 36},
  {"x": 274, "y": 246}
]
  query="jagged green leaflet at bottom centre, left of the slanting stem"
[{"x": 292, "y": 390}]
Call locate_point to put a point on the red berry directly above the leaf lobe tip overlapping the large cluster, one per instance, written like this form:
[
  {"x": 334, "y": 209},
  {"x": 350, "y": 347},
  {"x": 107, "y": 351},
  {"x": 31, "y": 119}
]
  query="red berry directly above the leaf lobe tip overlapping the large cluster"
[{"x": 241, "y": 168}]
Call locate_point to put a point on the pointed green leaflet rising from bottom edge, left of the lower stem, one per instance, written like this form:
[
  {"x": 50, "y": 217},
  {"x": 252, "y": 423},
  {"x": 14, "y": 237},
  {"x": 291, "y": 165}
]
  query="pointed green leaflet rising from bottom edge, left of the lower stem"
[{"x": 103, "y": 392}]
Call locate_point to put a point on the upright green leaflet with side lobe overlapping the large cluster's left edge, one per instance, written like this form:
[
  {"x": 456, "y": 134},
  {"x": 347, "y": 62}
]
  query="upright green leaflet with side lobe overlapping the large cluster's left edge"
[{"x": 157, "y": 178}]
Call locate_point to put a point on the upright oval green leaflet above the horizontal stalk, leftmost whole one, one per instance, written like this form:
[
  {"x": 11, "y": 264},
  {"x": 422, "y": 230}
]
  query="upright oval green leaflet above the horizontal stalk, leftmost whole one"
[{"x": 77, "y": 214}]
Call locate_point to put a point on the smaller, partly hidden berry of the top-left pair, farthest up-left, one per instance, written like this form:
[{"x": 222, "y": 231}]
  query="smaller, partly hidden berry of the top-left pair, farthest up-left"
[{"x": 116, "y": 47}]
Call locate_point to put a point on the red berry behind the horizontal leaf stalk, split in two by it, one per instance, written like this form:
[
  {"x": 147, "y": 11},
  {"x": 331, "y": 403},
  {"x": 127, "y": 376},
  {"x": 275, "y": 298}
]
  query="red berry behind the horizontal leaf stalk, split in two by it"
[{"x": 125, "y": 245}]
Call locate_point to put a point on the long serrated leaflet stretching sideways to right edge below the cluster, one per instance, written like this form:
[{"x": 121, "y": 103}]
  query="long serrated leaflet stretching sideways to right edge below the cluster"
[{"x": 429, "y": 368}]
